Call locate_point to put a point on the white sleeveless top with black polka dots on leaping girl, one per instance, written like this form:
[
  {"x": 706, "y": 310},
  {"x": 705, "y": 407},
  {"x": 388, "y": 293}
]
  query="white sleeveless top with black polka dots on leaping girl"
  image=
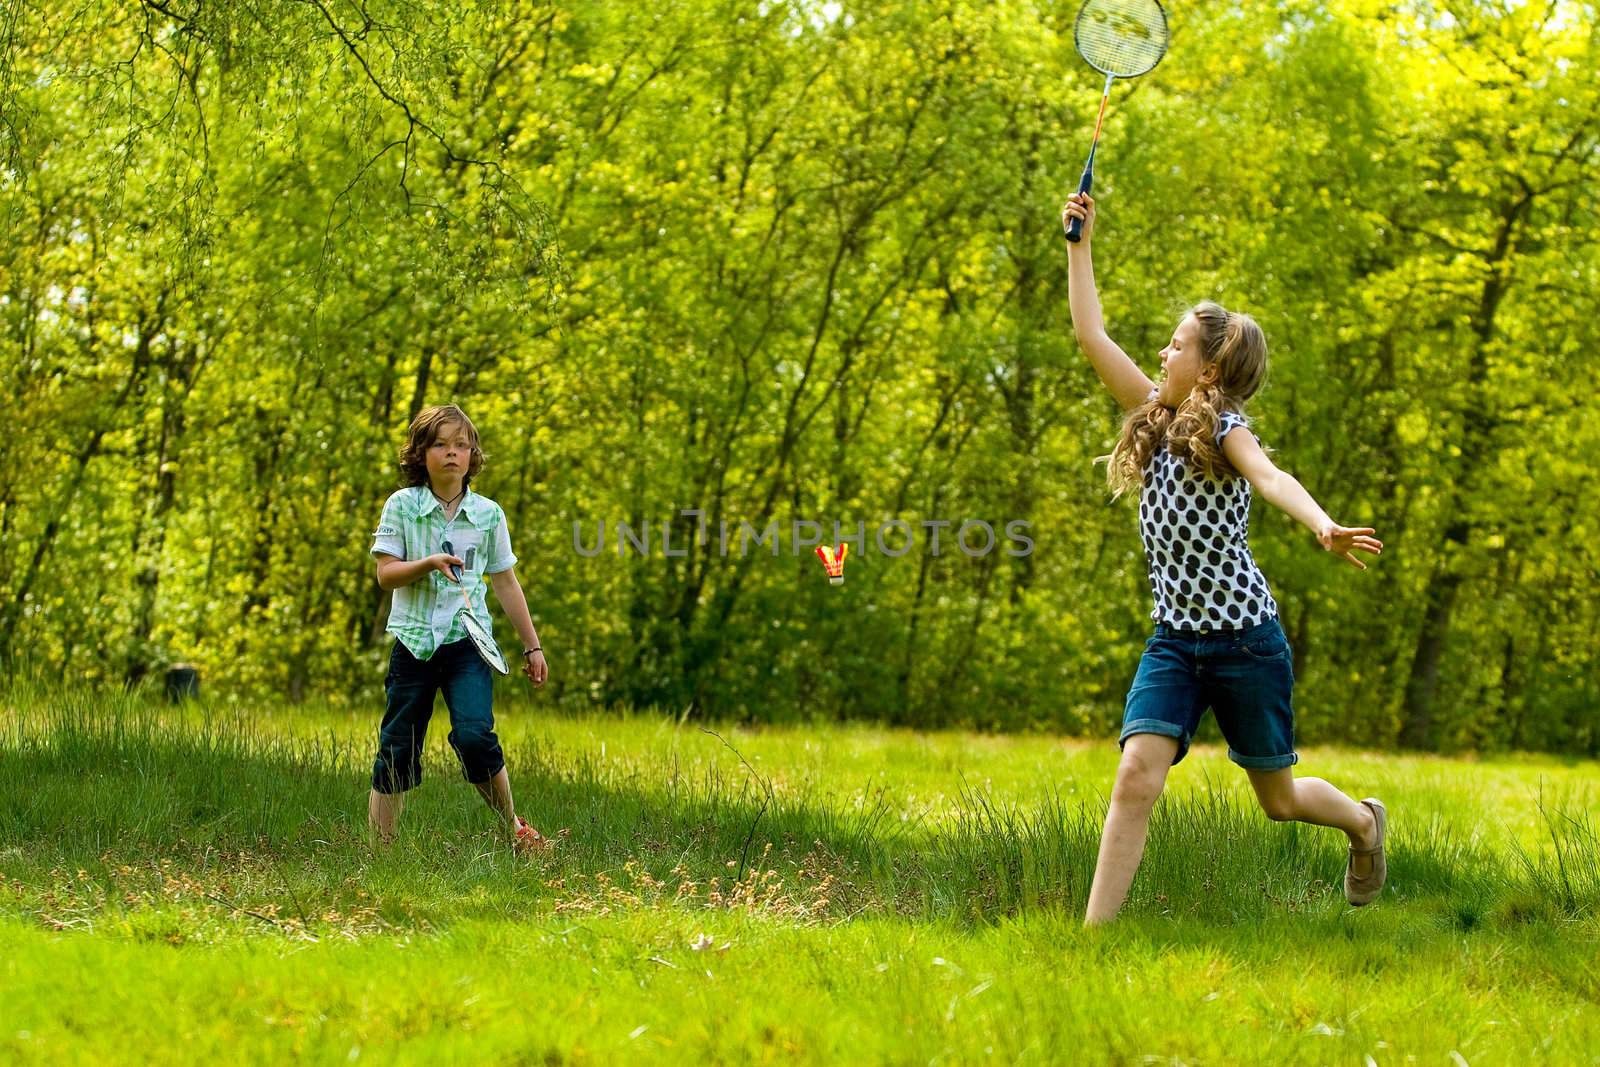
[{"x": 1198, "y": 546}]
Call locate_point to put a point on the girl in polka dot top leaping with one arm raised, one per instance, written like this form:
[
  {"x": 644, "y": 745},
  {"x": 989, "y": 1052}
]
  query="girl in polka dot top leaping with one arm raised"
[{"x": 1218, "y": 642}]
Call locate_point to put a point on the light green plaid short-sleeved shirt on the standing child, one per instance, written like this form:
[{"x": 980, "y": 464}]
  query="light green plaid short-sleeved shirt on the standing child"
[{"x": 414, "y": 527}]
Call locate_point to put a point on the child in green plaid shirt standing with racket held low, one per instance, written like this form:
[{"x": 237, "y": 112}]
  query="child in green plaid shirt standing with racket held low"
[{"x": 433, "y": 650}]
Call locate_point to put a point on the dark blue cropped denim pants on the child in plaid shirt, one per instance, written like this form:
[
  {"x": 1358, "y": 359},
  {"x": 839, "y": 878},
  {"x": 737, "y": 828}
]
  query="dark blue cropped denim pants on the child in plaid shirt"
[{"x": 470, "y": 695}]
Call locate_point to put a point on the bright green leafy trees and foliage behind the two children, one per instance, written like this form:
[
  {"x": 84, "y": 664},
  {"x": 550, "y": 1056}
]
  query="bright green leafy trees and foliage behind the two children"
[{"x": 783, "y": 263}]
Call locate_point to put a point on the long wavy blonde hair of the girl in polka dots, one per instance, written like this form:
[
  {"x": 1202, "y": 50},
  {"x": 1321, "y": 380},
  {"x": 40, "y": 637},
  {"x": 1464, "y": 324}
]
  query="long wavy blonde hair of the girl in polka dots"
[{"x": 1233, "y": 367}]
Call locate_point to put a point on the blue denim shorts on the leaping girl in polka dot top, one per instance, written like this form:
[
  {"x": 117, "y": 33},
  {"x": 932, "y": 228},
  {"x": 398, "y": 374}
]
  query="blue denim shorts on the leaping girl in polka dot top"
[{"x": 1247, "y": 677}]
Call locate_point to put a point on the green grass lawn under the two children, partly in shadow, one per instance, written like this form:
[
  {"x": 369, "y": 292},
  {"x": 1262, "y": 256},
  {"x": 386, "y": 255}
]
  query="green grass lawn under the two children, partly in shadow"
[{"x": 198, "y": 885}]
